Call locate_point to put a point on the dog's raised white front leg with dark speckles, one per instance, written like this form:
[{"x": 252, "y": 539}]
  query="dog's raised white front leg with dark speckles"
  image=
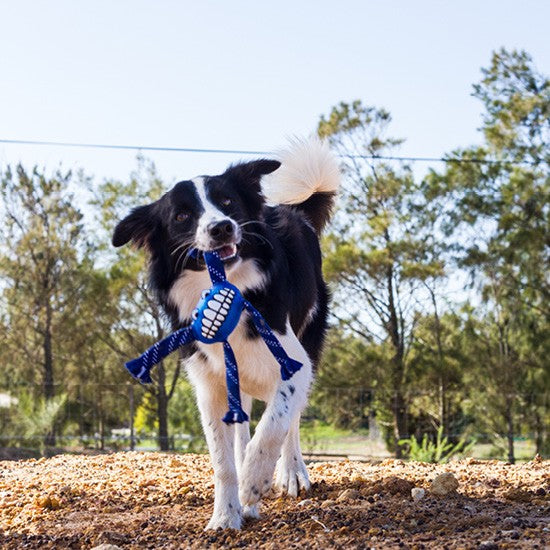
[{"x": 286, "y": 403}]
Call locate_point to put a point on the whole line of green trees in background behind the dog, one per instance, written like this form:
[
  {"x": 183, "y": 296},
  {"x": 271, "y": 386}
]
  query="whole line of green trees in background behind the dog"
[{"x": 440, "y": 289}]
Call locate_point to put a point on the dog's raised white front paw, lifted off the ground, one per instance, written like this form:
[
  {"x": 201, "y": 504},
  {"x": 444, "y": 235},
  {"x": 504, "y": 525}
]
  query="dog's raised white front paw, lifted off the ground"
[{"x": 257, "y": 475}]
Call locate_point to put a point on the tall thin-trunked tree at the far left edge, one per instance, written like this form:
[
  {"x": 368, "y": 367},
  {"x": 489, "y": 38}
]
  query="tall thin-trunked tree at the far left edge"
[{"x": 43, "y": 246}]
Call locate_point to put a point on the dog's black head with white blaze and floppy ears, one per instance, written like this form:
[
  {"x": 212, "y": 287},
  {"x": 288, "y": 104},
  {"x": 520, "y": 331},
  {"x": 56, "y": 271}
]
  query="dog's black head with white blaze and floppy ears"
[{"x": 205, "y": 213}]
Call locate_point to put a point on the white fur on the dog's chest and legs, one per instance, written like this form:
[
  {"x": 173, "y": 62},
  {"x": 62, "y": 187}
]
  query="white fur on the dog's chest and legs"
[{"x": 244, "y": 467}]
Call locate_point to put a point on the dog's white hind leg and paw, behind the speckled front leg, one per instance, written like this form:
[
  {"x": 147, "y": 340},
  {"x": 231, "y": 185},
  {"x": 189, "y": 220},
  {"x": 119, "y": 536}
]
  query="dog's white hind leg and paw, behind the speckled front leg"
[{"x": 291, "y": 473}]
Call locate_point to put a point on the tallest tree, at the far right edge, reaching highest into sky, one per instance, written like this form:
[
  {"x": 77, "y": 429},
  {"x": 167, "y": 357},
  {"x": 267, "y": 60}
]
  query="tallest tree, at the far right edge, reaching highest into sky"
[{"x": 500, "y": 224}]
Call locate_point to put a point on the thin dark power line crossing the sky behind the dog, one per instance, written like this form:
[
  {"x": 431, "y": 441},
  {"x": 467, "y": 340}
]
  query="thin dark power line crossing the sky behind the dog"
[{"x": 249, "y": 152}]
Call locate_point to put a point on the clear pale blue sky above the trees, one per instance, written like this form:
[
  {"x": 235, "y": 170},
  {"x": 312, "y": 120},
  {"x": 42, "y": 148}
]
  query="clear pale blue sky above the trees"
[{"x": 243, "y": 75}]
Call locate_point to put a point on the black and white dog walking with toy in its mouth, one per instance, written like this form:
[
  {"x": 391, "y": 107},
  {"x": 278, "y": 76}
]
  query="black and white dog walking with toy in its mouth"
[{"x": 264, "y": 218}]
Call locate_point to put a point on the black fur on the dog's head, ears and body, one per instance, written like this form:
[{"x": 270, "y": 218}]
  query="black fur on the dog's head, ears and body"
[{"x": 283, "y": 241}]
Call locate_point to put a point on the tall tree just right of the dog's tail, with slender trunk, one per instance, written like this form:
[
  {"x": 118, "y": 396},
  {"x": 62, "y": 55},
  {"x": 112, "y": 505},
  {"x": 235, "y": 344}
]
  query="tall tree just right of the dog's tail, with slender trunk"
[{"x": 373, "y": 254}]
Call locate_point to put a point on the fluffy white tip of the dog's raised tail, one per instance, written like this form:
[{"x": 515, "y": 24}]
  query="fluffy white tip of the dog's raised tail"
[{"x": 307, "y": 167}]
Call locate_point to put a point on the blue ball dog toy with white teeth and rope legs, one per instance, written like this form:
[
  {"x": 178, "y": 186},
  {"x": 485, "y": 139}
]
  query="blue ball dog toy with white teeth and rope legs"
[{"x": 214, "y": 319}]
